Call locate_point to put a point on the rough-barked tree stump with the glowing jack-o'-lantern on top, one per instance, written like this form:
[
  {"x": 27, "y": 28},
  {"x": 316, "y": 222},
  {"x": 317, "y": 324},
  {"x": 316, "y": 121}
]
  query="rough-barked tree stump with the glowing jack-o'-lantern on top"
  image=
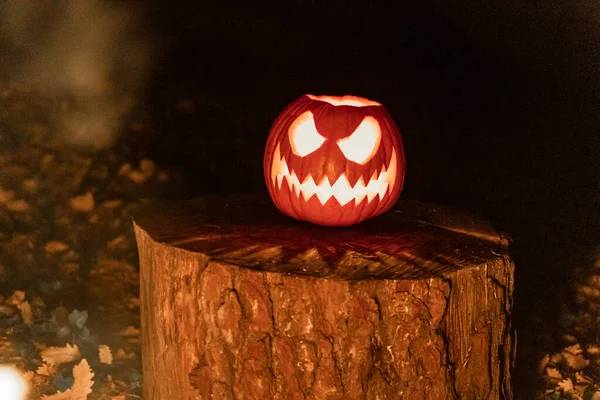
[{"x": 239, "y": 301}]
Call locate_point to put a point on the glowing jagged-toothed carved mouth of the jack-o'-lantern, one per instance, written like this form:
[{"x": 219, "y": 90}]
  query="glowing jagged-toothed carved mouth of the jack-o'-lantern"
[{"x": 341, "y": 189}]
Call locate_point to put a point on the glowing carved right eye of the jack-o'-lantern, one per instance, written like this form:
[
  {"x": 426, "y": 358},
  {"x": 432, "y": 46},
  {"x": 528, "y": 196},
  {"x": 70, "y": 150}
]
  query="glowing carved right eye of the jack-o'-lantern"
[{"x": 362, "y": 145}]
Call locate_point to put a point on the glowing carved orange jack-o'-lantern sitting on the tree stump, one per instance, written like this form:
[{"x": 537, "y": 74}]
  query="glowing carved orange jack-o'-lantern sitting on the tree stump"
[{"x": 334, "y": 161}]
